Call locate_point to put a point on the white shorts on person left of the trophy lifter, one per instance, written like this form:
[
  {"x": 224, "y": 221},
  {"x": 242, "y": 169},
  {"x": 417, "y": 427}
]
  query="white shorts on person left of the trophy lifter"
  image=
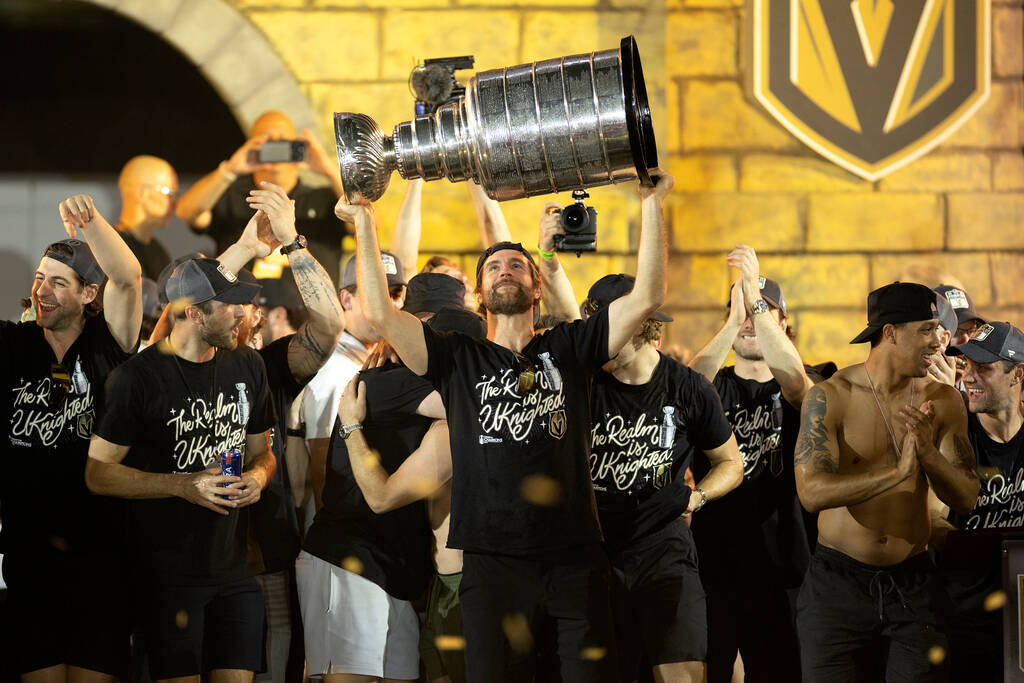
[{"x": 353, "y": 626}]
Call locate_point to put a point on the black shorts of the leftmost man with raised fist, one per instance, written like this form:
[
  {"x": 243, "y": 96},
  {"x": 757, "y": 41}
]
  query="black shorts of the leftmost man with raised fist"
[{"x": 70, "y": 609}]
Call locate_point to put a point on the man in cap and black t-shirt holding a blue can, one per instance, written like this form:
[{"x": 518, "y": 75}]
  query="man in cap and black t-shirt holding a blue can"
[{"x": 170, "y": 412}]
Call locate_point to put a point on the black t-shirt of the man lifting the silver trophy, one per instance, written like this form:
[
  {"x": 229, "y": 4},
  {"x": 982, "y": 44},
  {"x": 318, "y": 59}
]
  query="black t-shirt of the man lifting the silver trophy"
[{"x": 507, "y": 444}]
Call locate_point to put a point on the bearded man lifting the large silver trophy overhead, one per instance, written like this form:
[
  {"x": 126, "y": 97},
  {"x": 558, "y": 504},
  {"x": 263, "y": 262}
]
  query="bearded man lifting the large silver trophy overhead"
[{"x": 519, "y": 411}]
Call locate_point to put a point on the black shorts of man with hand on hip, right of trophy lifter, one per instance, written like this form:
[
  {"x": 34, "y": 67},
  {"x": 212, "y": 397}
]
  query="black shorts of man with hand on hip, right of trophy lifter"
[{"x": 658, "y": 601}]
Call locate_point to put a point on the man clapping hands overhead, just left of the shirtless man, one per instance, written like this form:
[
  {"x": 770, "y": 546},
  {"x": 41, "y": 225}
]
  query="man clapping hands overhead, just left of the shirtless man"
[{"x": 753, "y": 544}]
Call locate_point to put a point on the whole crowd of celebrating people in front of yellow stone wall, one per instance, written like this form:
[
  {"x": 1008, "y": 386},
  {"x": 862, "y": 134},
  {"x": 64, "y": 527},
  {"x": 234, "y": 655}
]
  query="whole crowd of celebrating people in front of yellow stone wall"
[{"x": 478, "y": 479}]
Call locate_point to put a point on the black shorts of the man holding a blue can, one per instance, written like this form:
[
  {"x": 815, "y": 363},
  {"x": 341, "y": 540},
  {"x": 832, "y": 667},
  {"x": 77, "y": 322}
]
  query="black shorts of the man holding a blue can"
[{"x": 192, "y": 630}]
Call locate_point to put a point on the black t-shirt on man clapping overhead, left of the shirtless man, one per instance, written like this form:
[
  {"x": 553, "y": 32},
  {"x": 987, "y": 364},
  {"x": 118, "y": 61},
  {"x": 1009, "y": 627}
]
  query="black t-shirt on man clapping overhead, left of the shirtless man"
[{"x": 759, "y": 526}]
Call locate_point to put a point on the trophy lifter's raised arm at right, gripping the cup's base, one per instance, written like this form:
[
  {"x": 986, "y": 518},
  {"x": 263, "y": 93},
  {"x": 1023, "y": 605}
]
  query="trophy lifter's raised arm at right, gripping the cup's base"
[{"x": 628, "y": 313}]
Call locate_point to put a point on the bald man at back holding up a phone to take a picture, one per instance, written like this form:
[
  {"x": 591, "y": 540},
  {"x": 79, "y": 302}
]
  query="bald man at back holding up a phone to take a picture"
[{"x": 217, "y": 204}]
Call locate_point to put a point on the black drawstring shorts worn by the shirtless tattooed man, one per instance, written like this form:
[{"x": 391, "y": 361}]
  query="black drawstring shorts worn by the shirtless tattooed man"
[{"x": 864, "y": 623}]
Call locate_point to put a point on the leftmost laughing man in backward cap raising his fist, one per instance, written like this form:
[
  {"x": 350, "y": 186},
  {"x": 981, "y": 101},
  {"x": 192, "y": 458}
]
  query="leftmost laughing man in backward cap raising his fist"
[{"x": 62, "y": 561}]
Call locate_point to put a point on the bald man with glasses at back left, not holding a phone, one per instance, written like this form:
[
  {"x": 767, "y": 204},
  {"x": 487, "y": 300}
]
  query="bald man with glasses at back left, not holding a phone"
[{"x": 149, "y": 189}]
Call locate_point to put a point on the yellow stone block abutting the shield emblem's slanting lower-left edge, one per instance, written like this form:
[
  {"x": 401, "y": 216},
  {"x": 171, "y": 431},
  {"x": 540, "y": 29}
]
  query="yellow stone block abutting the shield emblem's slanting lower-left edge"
[{"x": 717, "y": 116}]
